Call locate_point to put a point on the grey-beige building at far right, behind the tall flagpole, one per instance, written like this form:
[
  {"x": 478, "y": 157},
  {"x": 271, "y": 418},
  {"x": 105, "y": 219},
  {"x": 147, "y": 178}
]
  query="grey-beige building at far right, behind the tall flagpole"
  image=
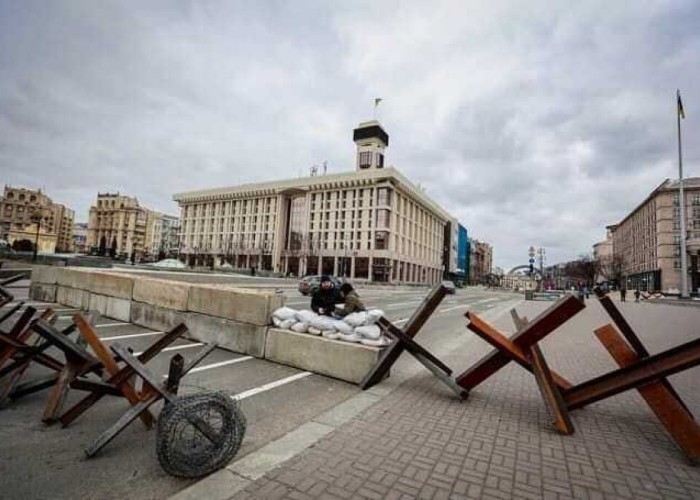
[{"x": 647, "y": 241}]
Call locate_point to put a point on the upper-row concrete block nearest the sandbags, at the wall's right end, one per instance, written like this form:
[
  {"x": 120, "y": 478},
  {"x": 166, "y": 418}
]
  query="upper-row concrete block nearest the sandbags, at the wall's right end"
[{"x": 249, "y": 306}]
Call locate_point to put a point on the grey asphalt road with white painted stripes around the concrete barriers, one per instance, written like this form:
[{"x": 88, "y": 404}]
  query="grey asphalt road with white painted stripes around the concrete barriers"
[{"x": 39, "y": 461}]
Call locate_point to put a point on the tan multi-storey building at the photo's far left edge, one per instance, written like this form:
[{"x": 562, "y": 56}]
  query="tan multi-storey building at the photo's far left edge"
[{"x": 21, "y": 207}]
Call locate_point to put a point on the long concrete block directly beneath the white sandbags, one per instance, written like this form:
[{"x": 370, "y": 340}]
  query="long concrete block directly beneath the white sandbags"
[{"x": 333, "y": 358}]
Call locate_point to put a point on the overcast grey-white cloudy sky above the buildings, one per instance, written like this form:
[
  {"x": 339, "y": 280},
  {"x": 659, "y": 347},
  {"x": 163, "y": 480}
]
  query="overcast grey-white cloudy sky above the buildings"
[{"x": 532, "y": 124}]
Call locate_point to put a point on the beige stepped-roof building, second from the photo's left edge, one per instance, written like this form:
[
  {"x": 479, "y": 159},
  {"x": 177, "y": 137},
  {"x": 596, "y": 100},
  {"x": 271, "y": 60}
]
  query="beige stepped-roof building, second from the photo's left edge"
[{"x": 117, "y": 222}]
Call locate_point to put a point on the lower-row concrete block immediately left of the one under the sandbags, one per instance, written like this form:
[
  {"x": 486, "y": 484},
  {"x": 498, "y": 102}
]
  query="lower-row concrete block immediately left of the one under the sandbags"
[{"x": 244, "y": 338}]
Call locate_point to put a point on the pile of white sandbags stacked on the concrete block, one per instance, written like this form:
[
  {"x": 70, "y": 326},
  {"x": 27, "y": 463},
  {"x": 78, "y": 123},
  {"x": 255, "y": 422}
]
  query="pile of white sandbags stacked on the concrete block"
[{"x": 355, "y": 327}]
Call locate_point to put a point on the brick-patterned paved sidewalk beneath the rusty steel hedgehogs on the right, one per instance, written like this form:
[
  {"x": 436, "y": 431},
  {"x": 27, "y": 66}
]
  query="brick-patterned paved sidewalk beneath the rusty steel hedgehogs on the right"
[{"x": 420, "y": 442}]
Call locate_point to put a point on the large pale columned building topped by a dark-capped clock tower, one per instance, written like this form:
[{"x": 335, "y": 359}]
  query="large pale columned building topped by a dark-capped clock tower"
[{"x": 370, "y": 224}]
